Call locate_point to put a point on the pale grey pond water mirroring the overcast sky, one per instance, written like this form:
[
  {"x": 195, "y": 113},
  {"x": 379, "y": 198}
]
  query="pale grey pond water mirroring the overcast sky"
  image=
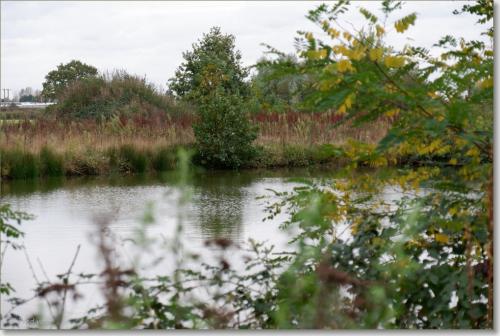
[{"x": 222, "y": 205}]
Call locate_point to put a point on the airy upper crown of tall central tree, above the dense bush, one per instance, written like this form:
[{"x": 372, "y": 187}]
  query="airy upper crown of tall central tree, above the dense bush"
[{"x": 213, "y": 62}]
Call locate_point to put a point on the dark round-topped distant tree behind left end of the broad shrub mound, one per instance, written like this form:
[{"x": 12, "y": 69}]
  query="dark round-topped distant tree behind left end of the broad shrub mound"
[{"x": 57, "y": 80}]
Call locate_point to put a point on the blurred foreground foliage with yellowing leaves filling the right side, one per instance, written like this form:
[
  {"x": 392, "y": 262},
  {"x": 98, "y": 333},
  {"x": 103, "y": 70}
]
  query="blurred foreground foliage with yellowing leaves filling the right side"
[{"x": 403, "y": 265}]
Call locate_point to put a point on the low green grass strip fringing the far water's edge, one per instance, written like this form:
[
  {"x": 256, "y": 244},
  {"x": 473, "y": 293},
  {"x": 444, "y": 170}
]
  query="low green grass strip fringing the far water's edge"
[{"x": 128, "y": 159}]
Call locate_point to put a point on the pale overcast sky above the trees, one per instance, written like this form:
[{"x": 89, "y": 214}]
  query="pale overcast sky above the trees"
[{"x": 148, "y": 38}]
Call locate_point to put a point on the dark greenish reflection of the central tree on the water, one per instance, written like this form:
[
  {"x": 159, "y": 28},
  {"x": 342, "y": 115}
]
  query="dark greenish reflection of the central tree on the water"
[{"x": 218, "y": 203}]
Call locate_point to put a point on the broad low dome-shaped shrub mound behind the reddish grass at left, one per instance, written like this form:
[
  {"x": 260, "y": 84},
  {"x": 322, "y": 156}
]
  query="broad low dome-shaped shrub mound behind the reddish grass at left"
[{"x": 112, "y": 95}]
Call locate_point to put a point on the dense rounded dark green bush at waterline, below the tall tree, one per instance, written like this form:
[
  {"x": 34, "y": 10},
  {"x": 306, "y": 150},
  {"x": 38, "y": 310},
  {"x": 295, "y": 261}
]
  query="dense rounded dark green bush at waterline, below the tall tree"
[{"x": 224, "y": 134}]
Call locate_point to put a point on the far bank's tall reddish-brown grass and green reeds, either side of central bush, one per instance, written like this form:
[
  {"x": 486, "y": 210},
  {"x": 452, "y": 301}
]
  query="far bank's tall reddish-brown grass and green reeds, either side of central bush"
[{"x": 139, "y": 144}]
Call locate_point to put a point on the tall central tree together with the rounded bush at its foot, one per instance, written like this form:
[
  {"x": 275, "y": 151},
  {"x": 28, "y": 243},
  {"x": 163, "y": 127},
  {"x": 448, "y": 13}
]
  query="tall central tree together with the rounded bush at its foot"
[{"x": 212, "y": 78}]
